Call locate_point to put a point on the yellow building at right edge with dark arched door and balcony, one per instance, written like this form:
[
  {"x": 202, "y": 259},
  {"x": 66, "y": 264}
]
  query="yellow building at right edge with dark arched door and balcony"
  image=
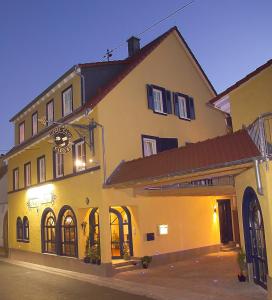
[{"x": 249, "y": 101}]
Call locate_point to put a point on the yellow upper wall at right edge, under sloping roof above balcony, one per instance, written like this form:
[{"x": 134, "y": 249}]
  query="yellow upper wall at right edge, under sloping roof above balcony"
[{"x": 251, "y": 99}]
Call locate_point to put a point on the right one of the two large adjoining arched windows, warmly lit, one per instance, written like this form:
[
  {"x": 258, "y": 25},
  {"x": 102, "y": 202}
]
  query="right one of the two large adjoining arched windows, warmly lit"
[{"x": 68, "y": 232}]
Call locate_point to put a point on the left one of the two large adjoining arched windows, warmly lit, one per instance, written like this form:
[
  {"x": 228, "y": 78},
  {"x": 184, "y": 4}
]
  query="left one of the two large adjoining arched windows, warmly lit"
[{"x": 48, "y": 227}]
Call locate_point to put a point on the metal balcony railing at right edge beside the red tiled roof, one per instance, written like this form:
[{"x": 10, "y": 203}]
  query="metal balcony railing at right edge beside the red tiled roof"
[{"x": 261, "y": 133}]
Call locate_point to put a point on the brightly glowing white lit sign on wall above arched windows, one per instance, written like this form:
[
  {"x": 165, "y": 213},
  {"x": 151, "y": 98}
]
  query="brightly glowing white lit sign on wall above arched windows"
[{"x": 40, "y": 195}]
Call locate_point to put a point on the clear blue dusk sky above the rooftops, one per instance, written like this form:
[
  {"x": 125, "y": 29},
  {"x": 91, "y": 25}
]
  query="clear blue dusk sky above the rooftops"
[{"x": 40, "y": 40}]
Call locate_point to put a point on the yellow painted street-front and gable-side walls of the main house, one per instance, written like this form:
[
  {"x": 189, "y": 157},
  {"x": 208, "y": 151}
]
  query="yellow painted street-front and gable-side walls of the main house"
[{"x": 125, "y": 117}]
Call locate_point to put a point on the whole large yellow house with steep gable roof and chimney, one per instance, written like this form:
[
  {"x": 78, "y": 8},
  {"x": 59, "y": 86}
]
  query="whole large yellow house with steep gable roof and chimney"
[{"x": 153, "y": 101}]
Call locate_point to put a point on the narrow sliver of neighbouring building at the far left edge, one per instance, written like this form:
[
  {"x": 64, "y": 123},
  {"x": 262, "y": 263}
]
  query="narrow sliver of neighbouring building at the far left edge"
[{"x": 3, "y": 207}]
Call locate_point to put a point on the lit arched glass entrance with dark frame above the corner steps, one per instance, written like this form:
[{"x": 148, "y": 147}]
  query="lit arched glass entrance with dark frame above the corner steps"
[{"x": 121, "y": 233}]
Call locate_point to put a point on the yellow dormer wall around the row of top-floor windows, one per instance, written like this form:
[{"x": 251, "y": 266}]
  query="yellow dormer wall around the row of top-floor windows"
[{"x": 41, "y": 107}]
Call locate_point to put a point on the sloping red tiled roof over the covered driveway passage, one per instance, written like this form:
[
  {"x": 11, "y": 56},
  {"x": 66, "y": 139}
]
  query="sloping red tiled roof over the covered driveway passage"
[{"x": 207, "y": 154}]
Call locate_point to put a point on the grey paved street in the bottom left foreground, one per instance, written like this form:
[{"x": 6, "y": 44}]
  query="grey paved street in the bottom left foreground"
[{"x": 19, "y": 283}]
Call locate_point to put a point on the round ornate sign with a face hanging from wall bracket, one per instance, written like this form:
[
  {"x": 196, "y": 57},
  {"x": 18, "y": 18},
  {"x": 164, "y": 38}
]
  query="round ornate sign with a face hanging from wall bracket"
[{"x": 62, "y": 139}]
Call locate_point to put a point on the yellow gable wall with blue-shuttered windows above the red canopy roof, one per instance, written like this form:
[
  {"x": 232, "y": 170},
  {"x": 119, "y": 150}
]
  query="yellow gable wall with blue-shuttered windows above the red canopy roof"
[{"x": 125, "y": 115}]
